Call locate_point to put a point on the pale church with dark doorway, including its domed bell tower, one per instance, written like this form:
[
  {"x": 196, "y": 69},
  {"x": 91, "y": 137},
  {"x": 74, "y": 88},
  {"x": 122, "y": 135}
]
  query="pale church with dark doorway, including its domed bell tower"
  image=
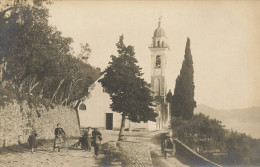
[{"x": 95, "y": 110}]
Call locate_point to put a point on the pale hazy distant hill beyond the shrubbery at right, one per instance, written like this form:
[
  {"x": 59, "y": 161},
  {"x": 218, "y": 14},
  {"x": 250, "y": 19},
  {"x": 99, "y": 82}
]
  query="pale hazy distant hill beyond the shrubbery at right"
[{"x": 243, "y": 120}]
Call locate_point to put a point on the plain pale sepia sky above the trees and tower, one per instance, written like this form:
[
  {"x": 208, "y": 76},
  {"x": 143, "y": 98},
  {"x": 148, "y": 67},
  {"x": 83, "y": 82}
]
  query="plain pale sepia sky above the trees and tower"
[{"x": 225, "y": 39}]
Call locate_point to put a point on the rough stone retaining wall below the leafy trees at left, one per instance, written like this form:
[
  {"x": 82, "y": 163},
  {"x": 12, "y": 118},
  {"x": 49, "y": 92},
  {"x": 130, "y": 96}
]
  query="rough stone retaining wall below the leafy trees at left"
[{"x": 17, "y": 120}]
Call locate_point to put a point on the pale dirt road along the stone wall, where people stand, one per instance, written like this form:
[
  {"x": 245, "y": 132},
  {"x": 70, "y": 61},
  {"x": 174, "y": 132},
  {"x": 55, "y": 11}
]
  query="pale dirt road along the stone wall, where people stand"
[{"x": 45, "y": 157}]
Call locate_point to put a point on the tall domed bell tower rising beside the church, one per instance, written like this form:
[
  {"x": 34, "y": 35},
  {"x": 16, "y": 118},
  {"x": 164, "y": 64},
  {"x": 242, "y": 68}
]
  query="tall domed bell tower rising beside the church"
[{"x": 159, "y": 52}]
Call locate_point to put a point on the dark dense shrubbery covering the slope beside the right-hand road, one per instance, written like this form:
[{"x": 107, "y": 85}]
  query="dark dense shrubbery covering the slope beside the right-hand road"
[{"x": 209, "y": 138}]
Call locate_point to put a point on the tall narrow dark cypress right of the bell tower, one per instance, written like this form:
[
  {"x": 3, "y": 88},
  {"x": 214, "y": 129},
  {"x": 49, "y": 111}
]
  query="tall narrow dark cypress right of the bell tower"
[{"x": 183, "y": 102}]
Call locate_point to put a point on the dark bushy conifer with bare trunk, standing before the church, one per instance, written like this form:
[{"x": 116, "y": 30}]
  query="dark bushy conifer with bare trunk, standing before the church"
[{"x": 129, "y": 93}]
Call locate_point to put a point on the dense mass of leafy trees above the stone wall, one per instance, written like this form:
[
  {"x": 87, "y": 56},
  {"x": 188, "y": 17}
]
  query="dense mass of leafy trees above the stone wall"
[{"x": 36, "y": 59}]
